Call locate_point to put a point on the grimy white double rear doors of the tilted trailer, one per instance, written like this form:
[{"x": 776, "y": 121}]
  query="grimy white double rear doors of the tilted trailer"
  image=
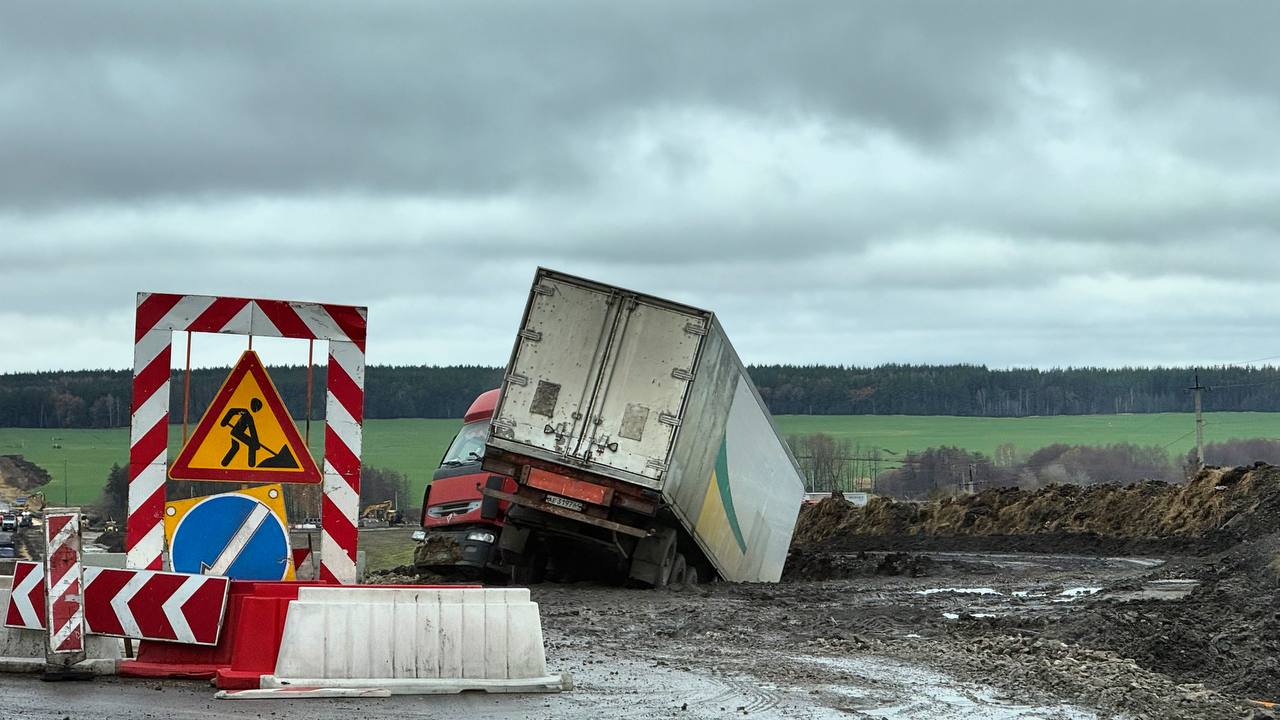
[{"x": 598, "y": 379}]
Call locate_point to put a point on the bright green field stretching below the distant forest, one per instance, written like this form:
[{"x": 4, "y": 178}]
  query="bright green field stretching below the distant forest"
[{"x": 415, "y": 448}]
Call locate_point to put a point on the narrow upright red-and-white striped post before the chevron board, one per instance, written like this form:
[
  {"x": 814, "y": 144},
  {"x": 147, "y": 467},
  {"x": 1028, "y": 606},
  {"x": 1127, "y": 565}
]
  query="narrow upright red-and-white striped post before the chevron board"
[{"x": 66, "y": 616}]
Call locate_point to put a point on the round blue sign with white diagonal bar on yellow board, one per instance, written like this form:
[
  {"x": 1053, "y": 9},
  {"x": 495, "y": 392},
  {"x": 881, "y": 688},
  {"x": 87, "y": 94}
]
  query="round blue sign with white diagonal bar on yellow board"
[{"x": 237, "y": 535}]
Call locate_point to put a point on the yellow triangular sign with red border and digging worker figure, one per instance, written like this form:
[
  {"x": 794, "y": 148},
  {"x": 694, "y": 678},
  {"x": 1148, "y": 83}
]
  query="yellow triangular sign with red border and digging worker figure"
[{"x": 246, "y": 436}]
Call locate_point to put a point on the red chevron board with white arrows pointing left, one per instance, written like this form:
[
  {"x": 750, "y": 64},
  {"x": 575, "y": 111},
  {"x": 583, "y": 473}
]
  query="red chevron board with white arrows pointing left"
[{"x": 145, "y": 605}]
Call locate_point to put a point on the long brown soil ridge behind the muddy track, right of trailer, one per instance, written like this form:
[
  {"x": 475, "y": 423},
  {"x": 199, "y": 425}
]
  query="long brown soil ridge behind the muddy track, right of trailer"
[{"x": 1213, "y": 512}]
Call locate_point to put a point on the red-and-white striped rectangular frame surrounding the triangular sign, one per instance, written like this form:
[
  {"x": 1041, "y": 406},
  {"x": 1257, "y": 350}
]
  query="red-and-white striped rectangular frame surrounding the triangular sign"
[{"x": 158, "y": 317}]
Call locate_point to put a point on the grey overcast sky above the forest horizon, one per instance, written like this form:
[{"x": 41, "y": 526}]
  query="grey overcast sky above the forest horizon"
[{"x": 1004, "y": 184}]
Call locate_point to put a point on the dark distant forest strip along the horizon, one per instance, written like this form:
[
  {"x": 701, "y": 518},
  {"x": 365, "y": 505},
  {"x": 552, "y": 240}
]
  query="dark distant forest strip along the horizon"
[{"x": 100, "y": 399}]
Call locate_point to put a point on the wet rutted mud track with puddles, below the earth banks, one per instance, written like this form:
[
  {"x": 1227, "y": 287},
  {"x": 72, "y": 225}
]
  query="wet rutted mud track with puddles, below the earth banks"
[{"x": 980, "y": 636}]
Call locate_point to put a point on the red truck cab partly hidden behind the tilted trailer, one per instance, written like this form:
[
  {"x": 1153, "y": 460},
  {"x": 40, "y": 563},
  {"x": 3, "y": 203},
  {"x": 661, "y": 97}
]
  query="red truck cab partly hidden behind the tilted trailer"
[{"x": 460, "y": 526}]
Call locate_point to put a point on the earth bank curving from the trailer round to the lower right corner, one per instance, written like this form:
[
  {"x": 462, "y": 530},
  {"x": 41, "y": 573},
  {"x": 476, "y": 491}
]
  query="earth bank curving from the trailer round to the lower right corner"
[{"x": 1220, "y": 531}]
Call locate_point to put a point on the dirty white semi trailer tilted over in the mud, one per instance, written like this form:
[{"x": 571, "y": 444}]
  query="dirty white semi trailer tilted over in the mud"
[{"x": 639, "y": 444}]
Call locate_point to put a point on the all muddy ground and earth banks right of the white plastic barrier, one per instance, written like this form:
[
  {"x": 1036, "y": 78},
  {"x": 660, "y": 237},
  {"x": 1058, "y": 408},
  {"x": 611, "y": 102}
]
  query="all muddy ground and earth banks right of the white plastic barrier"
[{"x": 1107, "y": 601}]
